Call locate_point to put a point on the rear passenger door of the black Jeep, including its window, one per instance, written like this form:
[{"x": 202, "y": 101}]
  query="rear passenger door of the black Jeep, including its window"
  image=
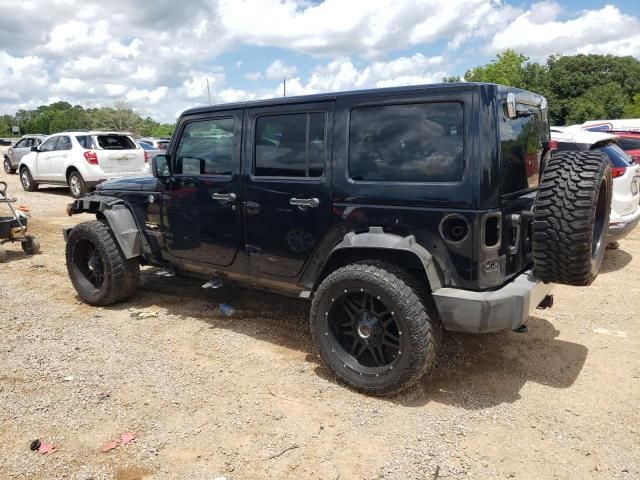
[{"x": 286, "y": 197}]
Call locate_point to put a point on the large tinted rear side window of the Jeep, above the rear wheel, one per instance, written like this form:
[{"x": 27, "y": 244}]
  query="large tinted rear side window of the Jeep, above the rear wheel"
[{"x": 420, "y": 142}]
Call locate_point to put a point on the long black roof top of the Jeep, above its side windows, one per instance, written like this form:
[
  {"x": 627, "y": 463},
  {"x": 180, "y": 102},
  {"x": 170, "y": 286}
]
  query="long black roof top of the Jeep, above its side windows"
[{"x": 390, "y": 91}]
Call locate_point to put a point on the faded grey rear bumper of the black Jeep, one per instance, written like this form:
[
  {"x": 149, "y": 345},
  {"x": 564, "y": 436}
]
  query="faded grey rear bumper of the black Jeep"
[{"x": 482, "y": 312}]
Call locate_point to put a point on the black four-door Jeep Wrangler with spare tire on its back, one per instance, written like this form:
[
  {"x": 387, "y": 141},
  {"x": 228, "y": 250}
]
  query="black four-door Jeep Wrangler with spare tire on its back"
[{"x": 398, "y": 212}]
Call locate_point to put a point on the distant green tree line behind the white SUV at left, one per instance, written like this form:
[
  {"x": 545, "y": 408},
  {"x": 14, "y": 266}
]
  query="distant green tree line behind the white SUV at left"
[{"x": 60, "y": 116}]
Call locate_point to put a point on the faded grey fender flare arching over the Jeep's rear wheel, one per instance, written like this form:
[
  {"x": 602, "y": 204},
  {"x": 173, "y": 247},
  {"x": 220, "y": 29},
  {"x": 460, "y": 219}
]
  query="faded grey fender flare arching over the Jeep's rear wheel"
[{"x": 377, "y": 238}]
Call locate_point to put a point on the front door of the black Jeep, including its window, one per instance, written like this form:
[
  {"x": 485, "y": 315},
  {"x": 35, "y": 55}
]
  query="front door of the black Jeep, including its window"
[{"x": 201, "y": 215}]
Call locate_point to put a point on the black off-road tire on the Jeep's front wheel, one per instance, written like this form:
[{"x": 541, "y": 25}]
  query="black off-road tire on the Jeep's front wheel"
[{"x": 121, "y": 275}]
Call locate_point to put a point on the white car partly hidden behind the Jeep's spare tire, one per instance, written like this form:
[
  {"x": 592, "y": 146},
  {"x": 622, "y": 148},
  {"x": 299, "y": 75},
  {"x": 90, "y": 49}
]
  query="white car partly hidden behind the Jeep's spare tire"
[{"x": 625, "y": 208}]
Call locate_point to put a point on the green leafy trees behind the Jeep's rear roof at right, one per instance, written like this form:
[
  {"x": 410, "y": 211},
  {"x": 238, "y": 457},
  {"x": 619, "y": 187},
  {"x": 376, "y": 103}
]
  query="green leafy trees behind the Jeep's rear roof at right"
[{"x": 577, "y": 87}]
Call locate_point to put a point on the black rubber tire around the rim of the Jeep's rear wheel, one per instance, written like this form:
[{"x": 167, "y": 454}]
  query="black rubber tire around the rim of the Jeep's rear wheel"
[{"x": 415, "y": 315}]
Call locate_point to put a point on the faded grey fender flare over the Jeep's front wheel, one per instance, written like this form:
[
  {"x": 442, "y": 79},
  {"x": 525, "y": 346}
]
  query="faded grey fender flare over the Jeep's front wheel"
[{"x": 118, "y": 215}]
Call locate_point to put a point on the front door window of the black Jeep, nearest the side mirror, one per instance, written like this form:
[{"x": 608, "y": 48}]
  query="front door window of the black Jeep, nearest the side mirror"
[{"x": 206, "y": 148}]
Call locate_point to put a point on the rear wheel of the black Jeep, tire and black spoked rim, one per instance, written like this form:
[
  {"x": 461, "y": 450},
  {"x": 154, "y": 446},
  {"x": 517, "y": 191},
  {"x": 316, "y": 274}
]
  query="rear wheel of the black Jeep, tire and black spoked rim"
[{"x": 374, "y": 328}]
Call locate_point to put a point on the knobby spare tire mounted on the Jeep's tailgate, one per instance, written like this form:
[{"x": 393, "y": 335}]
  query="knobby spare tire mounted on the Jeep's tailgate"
[{"x": 571, "y": 217}]
